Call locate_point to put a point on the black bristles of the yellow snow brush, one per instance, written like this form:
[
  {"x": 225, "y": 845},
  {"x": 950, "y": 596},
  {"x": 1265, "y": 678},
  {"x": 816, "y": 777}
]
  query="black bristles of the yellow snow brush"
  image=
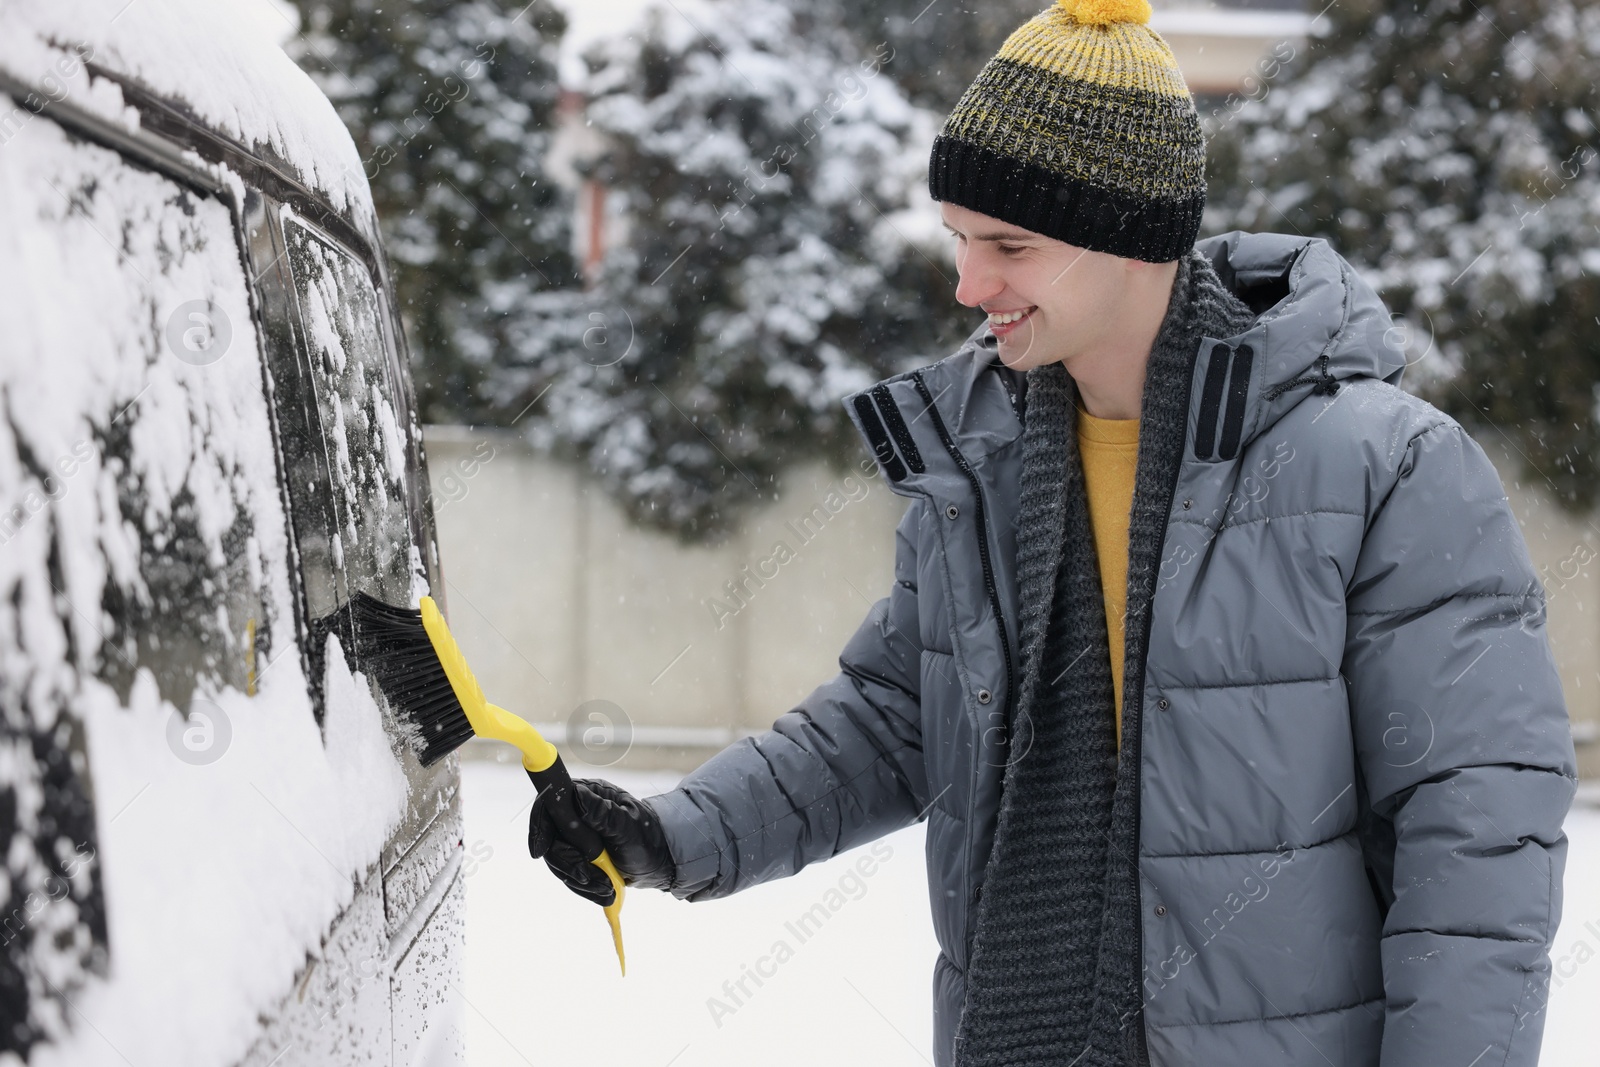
[{"x": 393, "y": 649}]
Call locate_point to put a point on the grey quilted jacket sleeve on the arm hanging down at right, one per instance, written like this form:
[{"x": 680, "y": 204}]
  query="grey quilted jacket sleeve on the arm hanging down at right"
[{"x": 1466, "y": 754}]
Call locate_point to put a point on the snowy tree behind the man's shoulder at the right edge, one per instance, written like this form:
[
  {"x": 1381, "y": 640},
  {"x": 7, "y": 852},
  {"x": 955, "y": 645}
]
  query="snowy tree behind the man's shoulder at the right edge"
[{"x": 1449, "y": 148}]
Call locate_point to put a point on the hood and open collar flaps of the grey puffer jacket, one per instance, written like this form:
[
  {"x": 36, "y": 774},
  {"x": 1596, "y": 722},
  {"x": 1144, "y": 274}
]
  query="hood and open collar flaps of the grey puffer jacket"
[{"x": 1318, "y": 322}]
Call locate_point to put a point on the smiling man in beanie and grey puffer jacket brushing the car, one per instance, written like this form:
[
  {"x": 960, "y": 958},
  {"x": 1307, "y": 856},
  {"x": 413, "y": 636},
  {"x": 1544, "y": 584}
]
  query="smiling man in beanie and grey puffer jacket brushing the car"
[{"x": 1214, "y": 661}]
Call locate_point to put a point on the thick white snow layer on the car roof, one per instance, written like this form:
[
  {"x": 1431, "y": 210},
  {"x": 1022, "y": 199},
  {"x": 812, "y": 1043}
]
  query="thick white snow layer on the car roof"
[{"x": 129, "y": 65}]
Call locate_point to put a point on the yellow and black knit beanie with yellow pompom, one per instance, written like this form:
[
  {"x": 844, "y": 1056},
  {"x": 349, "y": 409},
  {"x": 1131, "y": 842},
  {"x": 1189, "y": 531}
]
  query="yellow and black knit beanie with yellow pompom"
[{"x": 1081, "y": 129}]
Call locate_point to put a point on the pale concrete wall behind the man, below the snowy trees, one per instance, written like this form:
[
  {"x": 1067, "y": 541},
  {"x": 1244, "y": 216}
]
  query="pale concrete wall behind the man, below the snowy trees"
[{"x": 631, "y": 649}]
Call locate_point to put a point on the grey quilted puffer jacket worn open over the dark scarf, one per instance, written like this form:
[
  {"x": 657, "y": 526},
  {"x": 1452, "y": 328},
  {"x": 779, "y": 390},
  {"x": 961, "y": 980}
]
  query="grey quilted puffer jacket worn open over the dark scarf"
[{"x": 1356, "y": 757}]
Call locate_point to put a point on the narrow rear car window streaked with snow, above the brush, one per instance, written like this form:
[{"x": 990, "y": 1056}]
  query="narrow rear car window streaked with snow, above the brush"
[{"x": 350, "y": 362}]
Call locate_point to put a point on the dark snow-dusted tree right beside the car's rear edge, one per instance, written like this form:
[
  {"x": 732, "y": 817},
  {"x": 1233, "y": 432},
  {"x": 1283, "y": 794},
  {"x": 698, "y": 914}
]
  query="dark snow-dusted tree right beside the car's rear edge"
[{"x": 452, "y": 105}]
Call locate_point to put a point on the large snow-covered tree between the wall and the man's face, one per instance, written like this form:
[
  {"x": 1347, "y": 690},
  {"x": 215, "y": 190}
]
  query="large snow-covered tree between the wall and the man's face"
[{"x": 778, "y": 254}]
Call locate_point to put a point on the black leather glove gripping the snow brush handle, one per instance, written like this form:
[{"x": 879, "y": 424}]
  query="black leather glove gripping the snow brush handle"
[{"x": 630, "y": 829}]
